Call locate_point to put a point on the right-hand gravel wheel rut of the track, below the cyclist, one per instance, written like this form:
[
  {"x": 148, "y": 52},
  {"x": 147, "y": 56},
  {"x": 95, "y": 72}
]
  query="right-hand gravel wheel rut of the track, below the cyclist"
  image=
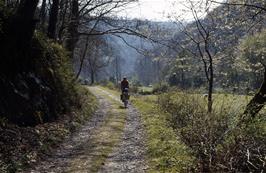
[{"x": 129, "y": 155}]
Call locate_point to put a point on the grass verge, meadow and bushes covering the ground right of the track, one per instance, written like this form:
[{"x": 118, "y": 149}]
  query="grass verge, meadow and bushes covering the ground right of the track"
[{"x": 182, "y": 136}]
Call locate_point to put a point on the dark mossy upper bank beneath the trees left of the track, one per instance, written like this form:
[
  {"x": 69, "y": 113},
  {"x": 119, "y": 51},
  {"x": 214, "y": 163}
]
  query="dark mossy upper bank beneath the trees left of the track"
[{"x": 43, "y": 90}]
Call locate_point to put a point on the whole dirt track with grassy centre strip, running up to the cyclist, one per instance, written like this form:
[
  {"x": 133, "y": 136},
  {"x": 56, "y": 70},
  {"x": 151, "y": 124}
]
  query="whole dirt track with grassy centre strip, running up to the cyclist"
[{"x": 112, "y": 141}]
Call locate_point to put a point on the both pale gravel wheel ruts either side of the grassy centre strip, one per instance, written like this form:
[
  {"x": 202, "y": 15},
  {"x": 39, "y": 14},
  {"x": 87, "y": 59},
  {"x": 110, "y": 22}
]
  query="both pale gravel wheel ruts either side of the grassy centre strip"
[{"x": 127, "y": 156}]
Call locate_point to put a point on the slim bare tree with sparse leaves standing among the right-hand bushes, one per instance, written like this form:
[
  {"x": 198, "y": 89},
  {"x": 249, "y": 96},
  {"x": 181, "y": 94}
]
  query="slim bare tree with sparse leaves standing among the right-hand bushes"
[{"x": 202, "y": 40}]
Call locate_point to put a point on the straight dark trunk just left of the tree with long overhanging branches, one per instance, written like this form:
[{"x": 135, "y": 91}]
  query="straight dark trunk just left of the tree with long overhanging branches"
[{"x": 53, "y": 20}]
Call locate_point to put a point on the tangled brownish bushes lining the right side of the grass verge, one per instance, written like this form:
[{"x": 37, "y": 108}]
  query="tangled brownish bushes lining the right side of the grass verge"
[{"x": 213, "y": 137}]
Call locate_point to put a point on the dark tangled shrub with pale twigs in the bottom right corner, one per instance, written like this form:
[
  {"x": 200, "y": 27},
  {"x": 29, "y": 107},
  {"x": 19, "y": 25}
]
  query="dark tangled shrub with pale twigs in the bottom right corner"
[{"x": 244, "y": 149}]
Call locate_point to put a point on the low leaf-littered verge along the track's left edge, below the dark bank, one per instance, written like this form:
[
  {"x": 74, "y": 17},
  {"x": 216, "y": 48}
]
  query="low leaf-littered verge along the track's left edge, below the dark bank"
[{"x": 21, "y": 147}]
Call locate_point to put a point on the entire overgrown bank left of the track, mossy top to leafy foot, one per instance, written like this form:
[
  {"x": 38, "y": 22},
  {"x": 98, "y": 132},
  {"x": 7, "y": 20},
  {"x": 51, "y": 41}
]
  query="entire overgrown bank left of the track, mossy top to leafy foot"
[{"x": 40, "y": 106}]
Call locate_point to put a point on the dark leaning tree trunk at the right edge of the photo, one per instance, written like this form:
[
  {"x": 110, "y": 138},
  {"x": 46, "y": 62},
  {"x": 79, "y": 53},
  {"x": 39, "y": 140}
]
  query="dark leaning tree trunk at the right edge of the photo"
[{"x": 258, "y": 101}]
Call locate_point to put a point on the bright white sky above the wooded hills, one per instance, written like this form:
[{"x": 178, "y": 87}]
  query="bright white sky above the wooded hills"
[{"x": 161, "y": 10}]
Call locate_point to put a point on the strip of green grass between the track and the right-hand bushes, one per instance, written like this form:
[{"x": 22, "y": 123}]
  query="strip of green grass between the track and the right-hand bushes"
[{"x": 166, "y": 153}]
